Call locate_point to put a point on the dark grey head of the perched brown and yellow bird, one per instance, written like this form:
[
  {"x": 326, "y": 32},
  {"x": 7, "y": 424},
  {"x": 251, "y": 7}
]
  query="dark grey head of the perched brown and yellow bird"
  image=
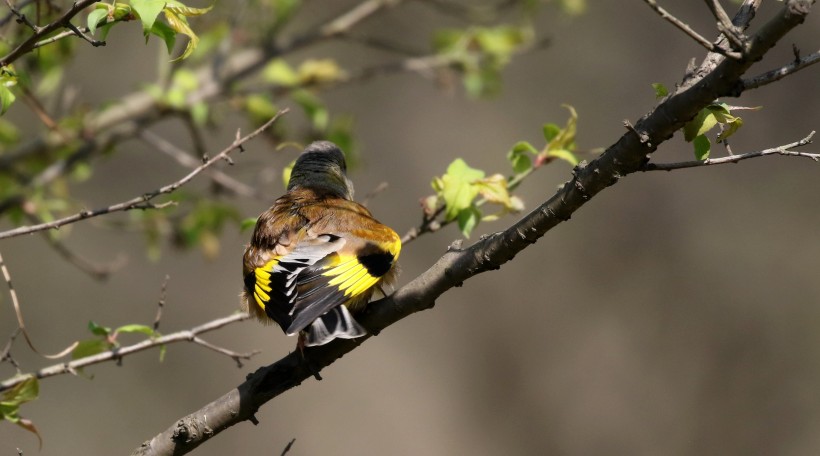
[{"x": 322, "y": 167}]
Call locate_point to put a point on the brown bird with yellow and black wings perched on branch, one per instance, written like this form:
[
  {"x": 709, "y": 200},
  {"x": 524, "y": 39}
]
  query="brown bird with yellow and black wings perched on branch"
[{"x": 316, "y": 257}]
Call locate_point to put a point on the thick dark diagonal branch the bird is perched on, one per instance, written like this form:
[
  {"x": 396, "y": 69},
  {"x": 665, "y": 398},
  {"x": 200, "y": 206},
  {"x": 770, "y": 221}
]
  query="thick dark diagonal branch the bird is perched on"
[{"x": 628, "y": 155}]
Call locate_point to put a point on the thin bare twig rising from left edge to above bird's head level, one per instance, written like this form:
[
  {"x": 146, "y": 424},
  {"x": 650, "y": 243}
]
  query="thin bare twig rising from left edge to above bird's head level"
[{"x": 144, "y": 201}]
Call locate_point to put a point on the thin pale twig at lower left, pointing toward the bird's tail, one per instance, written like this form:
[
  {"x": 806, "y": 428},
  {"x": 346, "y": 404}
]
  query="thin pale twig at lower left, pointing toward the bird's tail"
[{"x": 187, "y": 335}]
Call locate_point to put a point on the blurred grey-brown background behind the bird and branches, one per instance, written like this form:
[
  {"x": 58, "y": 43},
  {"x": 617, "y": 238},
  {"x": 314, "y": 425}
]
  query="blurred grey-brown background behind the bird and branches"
[{"x": 676, "y": 313}]
